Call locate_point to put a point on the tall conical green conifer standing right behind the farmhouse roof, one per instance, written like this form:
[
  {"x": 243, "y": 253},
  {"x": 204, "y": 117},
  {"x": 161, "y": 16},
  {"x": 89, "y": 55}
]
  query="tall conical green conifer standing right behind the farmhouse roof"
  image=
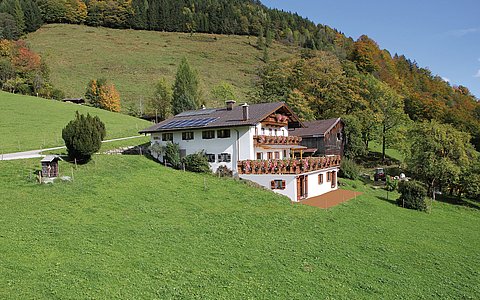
[{"x": 186, "y": 94}]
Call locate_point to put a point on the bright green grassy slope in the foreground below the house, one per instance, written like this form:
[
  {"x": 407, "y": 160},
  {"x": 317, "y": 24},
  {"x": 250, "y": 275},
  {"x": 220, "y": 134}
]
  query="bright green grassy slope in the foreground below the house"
[{"x": 129, "y": 228}]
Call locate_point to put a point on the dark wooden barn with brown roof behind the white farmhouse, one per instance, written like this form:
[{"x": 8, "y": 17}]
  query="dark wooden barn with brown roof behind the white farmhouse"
[{"x": 326, "y": 136}]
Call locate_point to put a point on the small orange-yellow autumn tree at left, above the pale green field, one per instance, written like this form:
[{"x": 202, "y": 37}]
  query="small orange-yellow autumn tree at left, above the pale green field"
[{"x": 102, "y": 94}]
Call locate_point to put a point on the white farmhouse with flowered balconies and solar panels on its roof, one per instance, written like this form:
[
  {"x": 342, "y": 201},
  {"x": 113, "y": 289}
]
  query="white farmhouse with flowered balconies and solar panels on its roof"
[{"x": 254, "y": 142}]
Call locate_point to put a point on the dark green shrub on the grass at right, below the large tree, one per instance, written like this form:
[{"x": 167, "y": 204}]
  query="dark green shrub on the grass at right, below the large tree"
[{"x": 413, "y": 195}]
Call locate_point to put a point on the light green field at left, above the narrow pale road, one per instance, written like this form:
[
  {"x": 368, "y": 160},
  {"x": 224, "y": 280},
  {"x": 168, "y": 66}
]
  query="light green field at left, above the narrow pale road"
[{"x": 28, "y": 123}]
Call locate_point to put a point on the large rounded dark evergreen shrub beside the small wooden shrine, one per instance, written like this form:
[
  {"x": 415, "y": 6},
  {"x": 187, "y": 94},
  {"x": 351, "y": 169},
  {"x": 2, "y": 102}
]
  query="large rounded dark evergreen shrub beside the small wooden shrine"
[{"x": 83, "y": 136}]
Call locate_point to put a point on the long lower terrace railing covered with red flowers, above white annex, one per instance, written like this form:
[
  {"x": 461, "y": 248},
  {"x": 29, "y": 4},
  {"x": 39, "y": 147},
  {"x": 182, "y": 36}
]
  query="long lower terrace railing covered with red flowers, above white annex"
[{"x": 288, "y": 166}]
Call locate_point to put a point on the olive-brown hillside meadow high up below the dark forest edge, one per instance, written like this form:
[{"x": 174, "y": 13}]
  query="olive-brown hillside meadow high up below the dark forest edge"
[{"x": 134, "y": 60}]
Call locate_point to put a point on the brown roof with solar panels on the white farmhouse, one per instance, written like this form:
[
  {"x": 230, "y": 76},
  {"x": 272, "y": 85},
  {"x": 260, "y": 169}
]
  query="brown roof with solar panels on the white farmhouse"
[{"x": 219, "y": 117}]
